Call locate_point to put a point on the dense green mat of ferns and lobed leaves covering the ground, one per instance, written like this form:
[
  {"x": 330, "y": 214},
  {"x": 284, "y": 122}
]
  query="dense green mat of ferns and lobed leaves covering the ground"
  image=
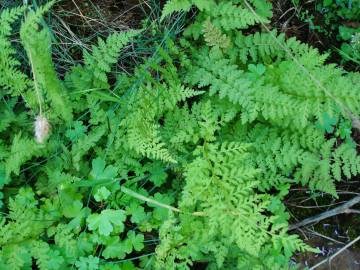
[{"x": 180, "y": 159}]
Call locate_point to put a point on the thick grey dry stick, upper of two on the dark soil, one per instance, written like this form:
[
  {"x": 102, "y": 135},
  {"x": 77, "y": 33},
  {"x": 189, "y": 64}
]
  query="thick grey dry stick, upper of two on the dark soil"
[{"x": 342, "y": 209}]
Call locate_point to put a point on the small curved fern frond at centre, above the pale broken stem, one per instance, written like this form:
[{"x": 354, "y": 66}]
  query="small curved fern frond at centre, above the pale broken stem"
[{"x": 148, "y": 104}]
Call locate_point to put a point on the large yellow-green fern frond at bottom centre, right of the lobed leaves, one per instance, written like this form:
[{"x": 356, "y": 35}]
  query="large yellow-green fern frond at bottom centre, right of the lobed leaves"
[{"x": 220, "y": 187}]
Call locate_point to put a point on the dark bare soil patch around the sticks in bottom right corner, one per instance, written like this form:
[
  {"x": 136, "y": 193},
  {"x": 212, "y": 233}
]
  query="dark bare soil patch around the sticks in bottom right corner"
[{"x": 329, "y": 235}]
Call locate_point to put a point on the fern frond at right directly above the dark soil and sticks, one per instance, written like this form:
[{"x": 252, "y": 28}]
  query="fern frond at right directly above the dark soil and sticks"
[{"x": 306, "y": 155}]
